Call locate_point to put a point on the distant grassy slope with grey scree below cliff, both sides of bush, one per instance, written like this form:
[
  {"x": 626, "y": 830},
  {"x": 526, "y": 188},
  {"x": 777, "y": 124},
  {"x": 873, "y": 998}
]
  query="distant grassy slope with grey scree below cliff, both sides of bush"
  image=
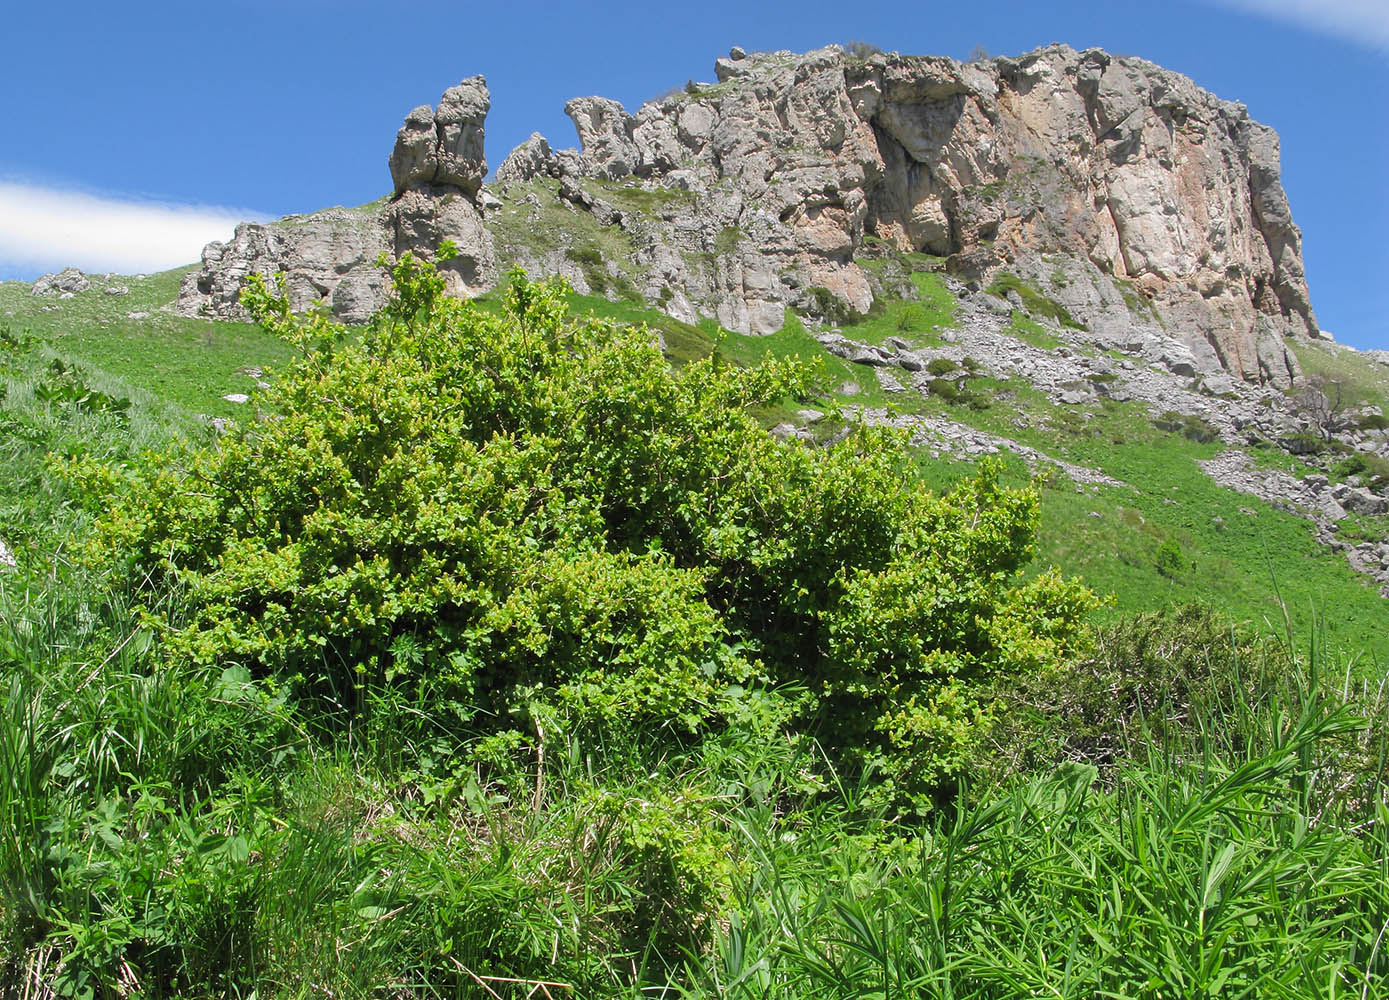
[{"x": 974, "y": 376}]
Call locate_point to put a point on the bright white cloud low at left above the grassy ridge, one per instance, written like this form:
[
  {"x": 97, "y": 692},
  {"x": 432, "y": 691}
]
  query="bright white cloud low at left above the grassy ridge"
[{"x": 47, "y": 228}]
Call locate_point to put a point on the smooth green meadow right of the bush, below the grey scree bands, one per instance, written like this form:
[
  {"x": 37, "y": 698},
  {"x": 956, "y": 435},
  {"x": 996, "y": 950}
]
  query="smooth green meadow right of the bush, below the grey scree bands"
[{"x": 1252, "y": 565}]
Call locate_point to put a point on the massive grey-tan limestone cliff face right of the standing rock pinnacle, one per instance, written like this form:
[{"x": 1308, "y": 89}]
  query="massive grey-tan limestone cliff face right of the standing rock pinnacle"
[{"x": 1170, "y": 197}]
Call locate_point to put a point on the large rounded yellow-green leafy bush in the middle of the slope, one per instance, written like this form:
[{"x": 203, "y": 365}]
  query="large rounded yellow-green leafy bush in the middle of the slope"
[{"x": 534, "y": 520}]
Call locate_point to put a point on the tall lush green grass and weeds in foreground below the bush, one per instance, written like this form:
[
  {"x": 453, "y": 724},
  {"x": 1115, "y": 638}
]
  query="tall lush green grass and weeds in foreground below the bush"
[{"x": 177, "y": 833}]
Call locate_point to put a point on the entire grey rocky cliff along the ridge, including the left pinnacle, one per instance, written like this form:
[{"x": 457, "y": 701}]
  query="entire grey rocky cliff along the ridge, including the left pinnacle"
[{"x": 1148, "y": 208}]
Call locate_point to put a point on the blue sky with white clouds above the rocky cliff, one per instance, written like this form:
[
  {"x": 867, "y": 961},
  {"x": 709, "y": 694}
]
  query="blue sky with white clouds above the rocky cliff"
[{"x": 134, "y": 133}]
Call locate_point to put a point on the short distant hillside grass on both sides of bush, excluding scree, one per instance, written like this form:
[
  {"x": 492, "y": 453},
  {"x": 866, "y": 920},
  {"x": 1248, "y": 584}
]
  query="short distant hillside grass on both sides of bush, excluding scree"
[{"x": 1172, "y": 537}]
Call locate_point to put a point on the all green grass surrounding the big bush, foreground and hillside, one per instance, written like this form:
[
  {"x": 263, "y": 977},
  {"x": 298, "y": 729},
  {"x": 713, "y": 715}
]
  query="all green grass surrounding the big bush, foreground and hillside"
[{"x": 1183, "y": 816}]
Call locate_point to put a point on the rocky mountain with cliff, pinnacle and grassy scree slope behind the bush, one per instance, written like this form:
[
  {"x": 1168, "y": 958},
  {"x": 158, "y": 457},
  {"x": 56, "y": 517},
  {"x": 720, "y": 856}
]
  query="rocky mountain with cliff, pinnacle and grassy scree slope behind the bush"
[{"x": 1115, "y": 242}]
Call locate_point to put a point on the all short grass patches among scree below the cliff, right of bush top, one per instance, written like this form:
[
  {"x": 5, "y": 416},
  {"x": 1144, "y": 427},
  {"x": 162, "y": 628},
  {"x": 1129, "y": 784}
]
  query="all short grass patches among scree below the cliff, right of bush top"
[{"x": 1172, "y": 535}]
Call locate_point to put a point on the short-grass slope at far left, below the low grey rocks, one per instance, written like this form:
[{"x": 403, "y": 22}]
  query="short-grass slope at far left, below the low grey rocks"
[{"x": 184, "y": 362}]
